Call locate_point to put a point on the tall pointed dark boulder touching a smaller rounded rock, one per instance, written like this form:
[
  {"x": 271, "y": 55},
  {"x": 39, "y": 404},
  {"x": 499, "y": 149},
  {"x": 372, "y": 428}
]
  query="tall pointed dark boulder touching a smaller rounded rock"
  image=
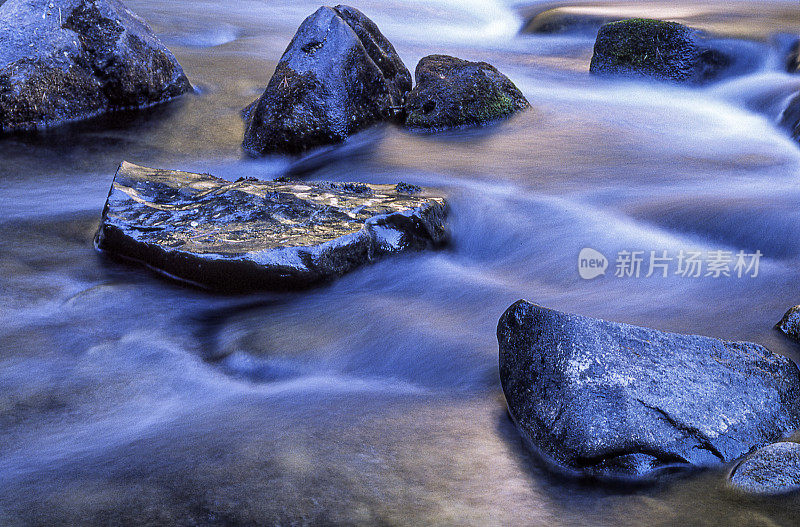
[{"x": 339, "y": 75}]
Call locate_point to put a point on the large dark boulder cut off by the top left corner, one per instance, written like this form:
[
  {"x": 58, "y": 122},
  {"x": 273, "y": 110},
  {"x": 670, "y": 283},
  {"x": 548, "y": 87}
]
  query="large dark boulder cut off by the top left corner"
[{"x": 63, "y": 60}]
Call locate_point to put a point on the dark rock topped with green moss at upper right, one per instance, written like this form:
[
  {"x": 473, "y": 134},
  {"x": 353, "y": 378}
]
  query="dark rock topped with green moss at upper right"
[{"x": 655, "y": 49}]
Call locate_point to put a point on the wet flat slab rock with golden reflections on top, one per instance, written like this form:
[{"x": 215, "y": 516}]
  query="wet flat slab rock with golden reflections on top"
[{"x": 247, "y": 235}]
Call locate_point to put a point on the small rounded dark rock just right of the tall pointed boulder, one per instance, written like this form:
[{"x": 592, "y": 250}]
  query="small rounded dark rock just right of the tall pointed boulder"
[{"x": 453, "y": 93}]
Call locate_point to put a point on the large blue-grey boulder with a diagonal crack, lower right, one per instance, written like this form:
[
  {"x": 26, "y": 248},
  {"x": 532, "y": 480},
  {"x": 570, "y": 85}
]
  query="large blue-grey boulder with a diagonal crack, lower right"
[{"x": 615, "y": 400}]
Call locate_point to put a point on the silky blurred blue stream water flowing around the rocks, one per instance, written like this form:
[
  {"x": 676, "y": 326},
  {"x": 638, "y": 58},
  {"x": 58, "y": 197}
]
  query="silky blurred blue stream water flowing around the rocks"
[{"x": 128, "y": 399}]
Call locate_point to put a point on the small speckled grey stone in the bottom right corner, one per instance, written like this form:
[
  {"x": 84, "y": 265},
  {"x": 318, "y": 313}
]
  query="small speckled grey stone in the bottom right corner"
[{"x": 774, "y": 469}]
